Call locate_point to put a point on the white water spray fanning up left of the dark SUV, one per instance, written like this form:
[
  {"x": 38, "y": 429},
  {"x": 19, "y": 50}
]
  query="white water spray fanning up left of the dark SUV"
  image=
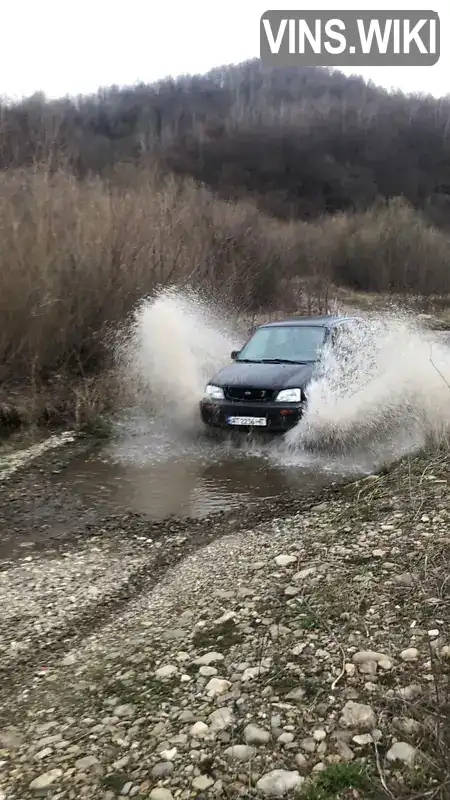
[{"x": 176, "y": 342}]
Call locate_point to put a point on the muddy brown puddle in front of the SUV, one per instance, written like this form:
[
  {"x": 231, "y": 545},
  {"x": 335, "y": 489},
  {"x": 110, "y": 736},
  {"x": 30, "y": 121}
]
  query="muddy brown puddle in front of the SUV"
[{"x": 159, "y": 473}]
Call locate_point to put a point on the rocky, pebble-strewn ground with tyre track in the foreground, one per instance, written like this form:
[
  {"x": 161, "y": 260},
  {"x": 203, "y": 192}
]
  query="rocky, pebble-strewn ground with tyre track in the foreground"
[{"x": 299, "y": 651}]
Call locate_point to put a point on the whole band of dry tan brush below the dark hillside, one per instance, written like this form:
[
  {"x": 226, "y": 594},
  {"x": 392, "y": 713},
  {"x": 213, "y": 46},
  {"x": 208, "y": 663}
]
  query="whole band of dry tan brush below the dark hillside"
[{"x": 75, "y": 257}]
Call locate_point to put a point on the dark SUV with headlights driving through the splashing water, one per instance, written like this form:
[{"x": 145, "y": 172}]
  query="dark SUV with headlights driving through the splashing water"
[{"x": 265, "y": 386}]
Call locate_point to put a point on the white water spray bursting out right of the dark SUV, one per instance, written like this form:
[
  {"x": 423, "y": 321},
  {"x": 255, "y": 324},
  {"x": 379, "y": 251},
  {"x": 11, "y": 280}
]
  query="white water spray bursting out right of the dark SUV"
[{"x": 385, "y": 391}]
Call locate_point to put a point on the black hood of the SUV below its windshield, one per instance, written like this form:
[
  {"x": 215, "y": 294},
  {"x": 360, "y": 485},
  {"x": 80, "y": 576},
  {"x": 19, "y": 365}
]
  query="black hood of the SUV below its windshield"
[{"x": 264, "y": 376}]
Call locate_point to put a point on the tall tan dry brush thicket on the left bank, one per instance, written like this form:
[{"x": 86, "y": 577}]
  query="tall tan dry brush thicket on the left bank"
[{"x": 76, "y": 257}]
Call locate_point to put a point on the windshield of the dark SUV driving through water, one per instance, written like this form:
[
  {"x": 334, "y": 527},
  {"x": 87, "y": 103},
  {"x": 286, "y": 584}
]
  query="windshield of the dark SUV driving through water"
[{"x": 298, "y": 343}]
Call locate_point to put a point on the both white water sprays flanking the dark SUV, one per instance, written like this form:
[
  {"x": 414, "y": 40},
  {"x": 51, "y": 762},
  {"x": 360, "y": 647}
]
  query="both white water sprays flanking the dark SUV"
[{"x": 384, "y": 392}]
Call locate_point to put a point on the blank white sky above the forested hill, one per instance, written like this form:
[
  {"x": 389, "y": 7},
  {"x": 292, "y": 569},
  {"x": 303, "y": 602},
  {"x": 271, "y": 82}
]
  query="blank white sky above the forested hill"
[{"x": 74, "y": 48}]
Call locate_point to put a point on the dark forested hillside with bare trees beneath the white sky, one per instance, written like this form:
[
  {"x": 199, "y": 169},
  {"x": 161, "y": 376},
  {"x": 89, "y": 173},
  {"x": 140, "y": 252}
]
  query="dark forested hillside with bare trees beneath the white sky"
[{"x": 301, "y": 142}]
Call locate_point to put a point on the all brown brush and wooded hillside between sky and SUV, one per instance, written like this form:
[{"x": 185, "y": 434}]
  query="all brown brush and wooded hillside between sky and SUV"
[{"x": 104, "y": 199}]
